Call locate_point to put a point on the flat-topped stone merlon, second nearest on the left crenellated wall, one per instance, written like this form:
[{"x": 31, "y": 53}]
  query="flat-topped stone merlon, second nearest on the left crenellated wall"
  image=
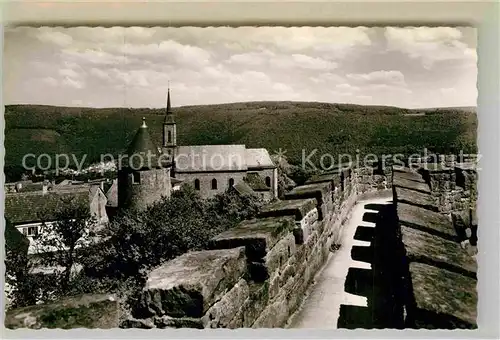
[{"x": 258, "y": 236}]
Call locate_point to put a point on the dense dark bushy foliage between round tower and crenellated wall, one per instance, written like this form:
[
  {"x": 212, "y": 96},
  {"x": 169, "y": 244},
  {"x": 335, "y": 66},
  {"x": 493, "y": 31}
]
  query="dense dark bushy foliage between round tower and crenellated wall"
[{"x": 136, "y": 242}]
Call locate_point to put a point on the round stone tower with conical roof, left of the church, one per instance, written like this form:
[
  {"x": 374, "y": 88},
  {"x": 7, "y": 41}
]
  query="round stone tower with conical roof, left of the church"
[{"x": 144, "y": 175}]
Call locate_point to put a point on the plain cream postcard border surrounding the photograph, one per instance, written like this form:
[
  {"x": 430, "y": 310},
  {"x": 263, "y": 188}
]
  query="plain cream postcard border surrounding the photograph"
[{"x": 482, "y": 14}]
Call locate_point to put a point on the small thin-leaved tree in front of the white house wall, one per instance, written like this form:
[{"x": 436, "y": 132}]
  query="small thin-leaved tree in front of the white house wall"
[{"x": 61, "y": 242}]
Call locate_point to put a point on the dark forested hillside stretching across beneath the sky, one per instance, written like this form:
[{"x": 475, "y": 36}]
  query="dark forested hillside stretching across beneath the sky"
[{"x": 292, "y": 126}]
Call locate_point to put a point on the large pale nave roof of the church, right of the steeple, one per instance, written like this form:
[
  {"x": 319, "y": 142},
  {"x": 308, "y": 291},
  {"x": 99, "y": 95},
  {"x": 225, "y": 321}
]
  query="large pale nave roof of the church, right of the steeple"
[{"x": 207, "y": 158}]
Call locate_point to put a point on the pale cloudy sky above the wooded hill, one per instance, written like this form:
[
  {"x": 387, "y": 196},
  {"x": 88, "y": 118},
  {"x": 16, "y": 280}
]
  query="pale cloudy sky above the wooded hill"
[{"x": 133, "y": 66}]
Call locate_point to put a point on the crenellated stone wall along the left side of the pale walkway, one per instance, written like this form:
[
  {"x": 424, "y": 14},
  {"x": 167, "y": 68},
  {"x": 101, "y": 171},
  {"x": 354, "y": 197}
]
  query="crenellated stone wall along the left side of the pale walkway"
[{"x": 256, "y": 274}]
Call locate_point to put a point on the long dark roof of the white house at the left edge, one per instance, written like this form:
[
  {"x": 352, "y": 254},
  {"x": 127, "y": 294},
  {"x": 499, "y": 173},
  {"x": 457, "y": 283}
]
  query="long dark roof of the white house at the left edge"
[{"x": 35, "y": 206}]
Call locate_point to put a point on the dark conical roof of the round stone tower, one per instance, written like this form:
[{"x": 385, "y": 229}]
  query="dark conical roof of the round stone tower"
[{"x": 142, "y": 145}]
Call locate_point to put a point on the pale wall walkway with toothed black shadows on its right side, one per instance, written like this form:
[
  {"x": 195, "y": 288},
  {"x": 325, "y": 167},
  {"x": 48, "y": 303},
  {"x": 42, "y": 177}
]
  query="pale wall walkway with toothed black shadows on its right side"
[{"x": 340, "y": 296}]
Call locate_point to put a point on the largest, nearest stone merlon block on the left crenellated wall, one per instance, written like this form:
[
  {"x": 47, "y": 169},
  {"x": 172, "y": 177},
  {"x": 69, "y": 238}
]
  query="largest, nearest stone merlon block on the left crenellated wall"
[{"x": 188, "y": 285}]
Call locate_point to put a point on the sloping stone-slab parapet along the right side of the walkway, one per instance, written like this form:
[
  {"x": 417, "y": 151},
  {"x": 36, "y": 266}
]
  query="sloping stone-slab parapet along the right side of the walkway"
[{"x": 438, "y": 276}]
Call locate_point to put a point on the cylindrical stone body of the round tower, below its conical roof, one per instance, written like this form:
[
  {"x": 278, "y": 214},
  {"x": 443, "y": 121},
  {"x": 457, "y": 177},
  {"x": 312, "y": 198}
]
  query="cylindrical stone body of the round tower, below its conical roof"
[{"x": 152, "y": 186}]
